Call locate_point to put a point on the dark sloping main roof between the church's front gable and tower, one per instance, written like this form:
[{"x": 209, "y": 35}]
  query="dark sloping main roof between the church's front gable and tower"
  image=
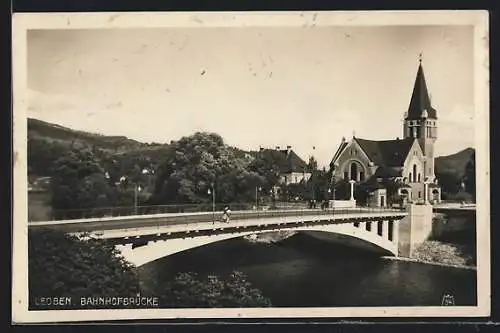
[{"x": 388, "y": 153}]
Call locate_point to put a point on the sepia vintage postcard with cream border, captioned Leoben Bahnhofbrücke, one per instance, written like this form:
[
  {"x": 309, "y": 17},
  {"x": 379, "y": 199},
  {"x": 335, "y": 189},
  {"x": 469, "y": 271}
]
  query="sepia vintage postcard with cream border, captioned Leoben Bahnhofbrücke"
[{"x": 250, "y": 165}]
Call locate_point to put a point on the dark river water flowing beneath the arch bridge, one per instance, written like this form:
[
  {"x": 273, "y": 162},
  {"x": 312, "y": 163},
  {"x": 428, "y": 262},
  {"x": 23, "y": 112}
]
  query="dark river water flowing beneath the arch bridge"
[{"x": 302, "y": 271}]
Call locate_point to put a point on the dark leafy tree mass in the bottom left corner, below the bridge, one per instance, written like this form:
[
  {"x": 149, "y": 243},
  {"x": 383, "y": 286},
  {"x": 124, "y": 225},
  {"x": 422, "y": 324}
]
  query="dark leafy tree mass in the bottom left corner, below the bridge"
[{"x": 67, "y": 266}]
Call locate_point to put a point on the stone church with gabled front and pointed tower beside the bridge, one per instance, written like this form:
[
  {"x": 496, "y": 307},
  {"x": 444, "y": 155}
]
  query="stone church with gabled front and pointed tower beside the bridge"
[{"x": 394, "y": 171}]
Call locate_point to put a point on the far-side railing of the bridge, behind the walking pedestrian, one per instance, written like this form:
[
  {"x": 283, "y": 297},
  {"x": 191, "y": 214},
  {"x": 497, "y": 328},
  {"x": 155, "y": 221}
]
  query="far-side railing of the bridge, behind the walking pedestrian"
[{"x": 71, "y": 214}]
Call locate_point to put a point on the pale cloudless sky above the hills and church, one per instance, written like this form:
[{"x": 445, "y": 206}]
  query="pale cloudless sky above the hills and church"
[{"x": 255, "y": 86}]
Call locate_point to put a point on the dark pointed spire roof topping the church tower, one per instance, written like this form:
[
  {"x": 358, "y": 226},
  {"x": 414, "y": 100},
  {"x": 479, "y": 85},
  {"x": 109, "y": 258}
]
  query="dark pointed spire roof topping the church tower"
[{"x": 420, "y": 100}]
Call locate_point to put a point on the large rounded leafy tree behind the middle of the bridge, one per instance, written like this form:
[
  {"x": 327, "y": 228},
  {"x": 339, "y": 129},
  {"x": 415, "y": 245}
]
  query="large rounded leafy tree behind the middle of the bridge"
[{"x": 196, "y": 165}]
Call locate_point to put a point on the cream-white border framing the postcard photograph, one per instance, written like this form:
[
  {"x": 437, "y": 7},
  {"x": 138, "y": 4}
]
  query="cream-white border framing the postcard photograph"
[{"x": 24, "y": 22}]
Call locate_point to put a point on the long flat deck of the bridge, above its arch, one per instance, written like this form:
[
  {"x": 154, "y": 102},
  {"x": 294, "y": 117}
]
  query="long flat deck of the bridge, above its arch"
[{"x": 196, "y": 222}]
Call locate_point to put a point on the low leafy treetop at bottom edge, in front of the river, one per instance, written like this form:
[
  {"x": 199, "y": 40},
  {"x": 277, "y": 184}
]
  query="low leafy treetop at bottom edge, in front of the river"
[{"x": 187, "y": 290}]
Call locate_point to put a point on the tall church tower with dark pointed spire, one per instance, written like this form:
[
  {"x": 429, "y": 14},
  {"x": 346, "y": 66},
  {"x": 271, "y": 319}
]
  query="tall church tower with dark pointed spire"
[{"x": 421, "y": 121}]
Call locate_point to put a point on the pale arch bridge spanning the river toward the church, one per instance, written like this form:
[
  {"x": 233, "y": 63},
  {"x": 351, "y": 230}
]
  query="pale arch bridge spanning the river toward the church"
[{"x": 142, "y": 239}]
